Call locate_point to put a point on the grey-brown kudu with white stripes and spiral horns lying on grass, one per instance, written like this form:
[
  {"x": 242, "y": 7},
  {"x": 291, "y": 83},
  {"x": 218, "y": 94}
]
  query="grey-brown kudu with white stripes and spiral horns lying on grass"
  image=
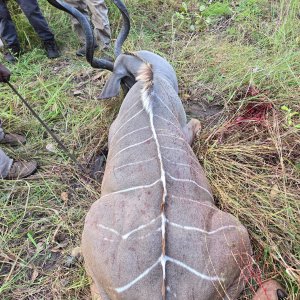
[{"x": 156, "y": 233}]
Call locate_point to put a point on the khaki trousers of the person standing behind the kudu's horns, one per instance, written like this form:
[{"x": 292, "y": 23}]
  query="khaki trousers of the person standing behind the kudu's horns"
[{"x": 99, "y": 20}]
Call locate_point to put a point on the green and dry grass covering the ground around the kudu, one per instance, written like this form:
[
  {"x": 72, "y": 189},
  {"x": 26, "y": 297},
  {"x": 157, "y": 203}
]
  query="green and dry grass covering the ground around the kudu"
[{"x": 218, "y": 50}]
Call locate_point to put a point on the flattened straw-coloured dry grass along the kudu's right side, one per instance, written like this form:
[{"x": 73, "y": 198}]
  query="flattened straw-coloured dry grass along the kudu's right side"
[{"x": 253, "y": 178}]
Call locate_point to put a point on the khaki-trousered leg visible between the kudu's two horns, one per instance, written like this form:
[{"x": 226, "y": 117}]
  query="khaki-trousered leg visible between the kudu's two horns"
[{"x": 100, "y": 21}]
